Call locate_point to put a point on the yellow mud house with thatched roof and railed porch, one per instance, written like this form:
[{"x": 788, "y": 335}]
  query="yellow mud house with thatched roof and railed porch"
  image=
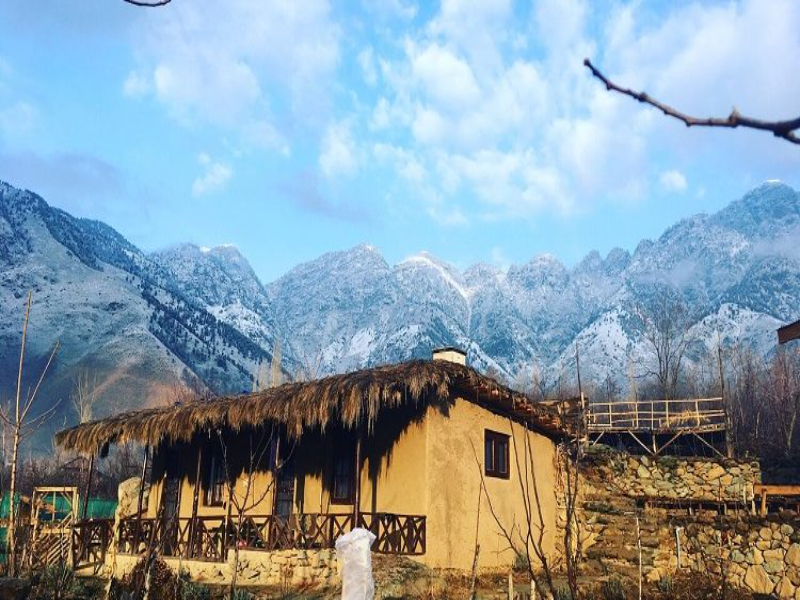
[{"x": 402, "y": 450}]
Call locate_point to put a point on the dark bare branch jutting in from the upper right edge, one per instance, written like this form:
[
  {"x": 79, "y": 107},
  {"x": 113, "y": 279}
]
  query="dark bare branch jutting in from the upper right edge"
[{"x": 782, "y": 129}]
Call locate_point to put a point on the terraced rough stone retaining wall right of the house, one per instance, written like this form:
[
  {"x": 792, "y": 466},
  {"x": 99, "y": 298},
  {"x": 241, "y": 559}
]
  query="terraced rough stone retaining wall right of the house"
[{"x": 753, "y": 552}]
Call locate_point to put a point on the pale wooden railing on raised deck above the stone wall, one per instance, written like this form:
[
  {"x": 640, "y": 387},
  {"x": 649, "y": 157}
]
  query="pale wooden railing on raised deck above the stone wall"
[{"x": 697, "y": 414}]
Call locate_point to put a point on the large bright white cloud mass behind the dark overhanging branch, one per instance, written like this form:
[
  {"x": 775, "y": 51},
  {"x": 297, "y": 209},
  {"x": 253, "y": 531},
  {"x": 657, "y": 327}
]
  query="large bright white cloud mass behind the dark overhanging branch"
[{"x": 521, "y": 132}]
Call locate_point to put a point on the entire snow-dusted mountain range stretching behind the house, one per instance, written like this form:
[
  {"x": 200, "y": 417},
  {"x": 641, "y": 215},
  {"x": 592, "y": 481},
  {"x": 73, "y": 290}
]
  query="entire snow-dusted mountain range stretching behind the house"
[{"x": 144, "y": 321}]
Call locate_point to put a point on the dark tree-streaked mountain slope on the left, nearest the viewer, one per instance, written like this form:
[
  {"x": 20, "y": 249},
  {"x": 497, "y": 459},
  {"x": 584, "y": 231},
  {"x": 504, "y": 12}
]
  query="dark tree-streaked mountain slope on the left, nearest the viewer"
[{"x": 115, "y": 311}]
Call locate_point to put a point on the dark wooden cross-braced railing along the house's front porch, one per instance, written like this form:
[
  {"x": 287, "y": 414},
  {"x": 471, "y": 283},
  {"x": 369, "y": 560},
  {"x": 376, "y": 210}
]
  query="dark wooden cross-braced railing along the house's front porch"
[{"x": 210, "y": 538}]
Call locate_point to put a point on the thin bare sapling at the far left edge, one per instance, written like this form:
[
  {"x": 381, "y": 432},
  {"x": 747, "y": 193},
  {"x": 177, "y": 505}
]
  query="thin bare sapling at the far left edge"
[{"x": 22, "y": 424}]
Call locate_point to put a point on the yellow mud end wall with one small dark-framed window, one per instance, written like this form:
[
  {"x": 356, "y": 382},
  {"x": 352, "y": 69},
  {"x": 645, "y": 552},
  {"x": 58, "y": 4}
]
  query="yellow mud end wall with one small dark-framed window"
[{"x": 455, "y": 458}]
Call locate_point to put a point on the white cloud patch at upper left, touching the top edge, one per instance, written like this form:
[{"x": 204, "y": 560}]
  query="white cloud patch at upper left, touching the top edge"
[{"x": 231, "y": 64}]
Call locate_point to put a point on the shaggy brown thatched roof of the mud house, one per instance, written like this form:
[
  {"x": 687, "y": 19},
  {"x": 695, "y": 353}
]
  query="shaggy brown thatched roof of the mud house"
[{"x": 349, "y": 399}]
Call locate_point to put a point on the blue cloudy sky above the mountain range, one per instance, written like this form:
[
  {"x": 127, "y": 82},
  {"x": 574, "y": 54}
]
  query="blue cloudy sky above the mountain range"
[{"x": 467, "y": 129}]
